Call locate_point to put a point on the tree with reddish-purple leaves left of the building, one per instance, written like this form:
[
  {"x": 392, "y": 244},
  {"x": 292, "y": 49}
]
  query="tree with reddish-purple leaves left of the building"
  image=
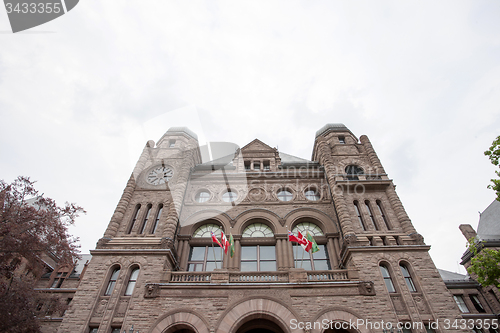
[{"x": 31, "y": 227}]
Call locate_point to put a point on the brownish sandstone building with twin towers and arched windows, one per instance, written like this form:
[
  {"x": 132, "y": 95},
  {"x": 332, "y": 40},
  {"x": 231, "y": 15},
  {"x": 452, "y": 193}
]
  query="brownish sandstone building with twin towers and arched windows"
[{"x": 155, "y": 268}]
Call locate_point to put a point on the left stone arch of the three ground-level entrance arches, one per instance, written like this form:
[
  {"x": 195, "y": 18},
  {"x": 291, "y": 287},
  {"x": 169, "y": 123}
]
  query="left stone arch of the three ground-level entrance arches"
[{"x": 180, "y": 318}]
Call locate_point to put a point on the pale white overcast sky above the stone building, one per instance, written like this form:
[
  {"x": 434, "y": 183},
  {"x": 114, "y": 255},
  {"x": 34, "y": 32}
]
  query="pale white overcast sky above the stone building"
[{"x": 81, "y": 95}]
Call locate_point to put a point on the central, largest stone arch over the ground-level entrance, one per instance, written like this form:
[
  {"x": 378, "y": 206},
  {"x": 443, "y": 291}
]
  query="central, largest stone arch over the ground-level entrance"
[{"x": 251, "y": 308}]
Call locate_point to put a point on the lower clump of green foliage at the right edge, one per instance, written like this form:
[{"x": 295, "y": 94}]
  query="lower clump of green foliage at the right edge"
[{"x": 485, "y": 264}]
